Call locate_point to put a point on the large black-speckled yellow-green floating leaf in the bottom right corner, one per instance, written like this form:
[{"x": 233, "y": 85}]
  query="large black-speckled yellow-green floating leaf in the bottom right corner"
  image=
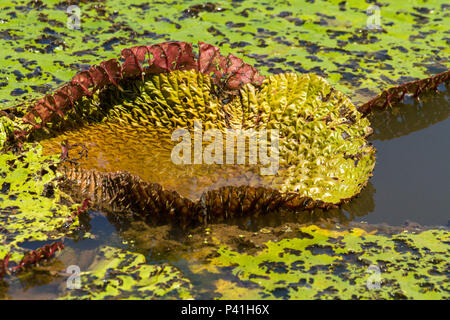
[{"x": 341, "y": 264}]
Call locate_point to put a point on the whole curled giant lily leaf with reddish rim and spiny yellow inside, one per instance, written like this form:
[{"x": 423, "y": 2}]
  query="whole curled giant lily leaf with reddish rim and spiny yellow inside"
[{"x": 324, "y": 157}]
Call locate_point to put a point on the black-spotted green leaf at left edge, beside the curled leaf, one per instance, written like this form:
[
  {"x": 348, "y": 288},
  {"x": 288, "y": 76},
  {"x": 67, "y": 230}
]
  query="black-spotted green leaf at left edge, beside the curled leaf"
[{"x": 30, "y": 202}]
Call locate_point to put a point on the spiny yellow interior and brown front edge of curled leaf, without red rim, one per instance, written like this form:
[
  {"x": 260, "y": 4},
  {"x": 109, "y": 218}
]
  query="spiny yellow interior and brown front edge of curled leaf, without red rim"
[{"x": 323, "y": 155}]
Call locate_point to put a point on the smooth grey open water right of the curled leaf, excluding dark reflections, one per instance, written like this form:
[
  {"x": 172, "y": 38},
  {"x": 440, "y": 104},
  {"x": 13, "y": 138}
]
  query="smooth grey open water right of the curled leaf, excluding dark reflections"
[{"x": 412, "y": 178}]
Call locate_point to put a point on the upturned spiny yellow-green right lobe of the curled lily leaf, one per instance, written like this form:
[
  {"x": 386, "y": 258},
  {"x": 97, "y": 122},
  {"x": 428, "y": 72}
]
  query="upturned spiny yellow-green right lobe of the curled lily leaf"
[{"x": 323, "y": 153}]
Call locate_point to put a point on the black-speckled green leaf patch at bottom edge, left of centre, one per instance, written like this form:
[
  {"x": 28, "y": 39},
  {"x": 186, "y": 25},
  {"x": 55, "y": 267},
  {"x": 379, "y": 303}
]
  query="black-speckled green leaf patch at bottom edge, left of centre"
[{"x": 120, "y": 274}]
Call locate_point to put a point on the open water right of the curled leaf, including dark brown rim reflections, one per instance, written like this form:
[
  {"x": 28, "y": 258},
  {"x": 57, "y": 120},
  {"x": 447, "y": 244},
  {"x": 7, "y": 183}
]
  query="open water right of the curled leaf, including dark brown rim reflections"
[{"x": 412, "y": 173}]
